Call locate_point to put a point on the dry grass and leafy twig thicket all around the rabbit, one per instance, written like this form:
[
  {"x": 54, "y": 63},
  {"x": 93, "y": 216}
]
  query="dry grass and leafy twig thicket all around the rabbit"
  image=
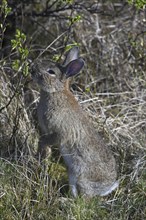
[{"x": 111, "y": 36}]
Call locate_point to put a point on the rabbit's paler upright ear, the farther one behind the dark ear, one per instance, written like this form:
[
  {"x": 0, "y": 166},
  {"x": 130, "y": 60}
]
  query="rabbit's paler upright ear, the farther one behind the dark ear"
[{"x": 72, "y": 54}]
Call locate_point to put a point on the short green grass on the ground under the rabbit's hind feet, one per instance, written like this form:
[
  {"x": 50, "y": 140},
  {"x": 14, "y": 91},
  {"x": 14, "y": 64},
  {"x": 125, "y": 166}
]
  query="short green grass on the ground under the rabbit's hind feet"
[{"x": 29, "y": 191}]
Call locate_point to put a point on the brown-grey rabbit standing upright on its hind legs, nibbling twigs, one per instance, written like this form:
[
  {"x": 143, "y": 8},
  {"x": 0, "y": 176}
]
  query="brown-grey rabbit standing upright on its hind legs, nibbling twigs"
[{"x": 90, "y": 164}]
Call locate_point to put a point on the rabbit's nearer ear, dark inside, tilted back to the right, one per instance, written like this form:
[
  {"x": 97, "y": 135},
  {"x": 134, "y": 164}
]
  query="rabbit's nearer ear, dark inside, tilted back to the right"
[{"x": 74, "y": 67}]
